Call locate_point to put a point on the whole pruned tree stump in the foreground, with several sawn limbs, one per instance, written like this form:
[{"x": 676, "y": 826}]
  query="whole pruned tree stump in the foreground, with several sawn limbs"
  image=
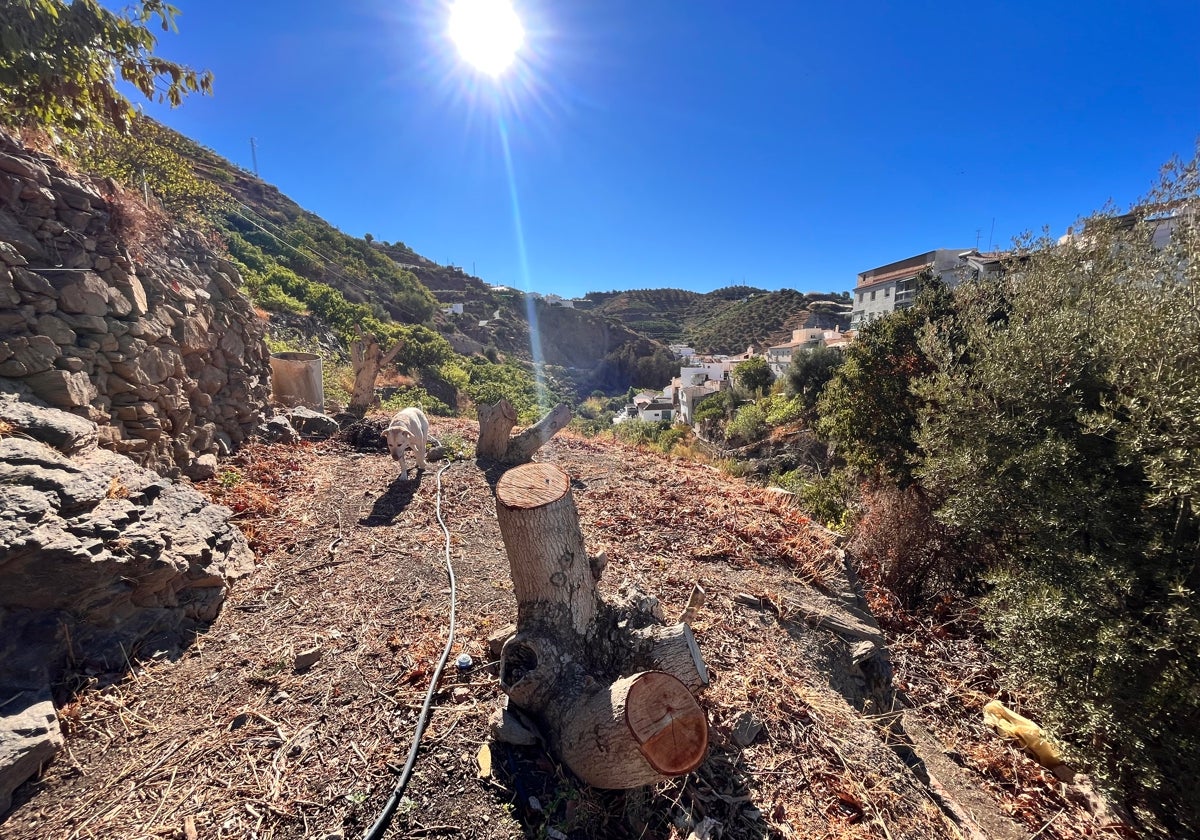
[{"x": 613, "y": 691}]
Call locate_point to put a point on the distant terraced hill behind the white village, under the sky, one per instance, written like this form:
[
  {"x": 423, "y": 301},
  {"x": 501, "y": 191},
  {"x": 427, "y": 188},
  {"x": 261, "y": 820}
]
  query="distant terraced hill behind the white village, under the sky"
[{"x": 725, "y": 321}]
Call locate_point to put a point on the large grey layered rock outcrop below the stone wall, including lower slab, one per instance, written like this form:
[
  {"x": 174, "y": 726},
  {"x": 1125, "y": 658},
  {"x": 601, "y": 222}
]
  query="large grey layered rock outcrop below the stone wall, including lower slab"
[{"x": 101, "y": 562}]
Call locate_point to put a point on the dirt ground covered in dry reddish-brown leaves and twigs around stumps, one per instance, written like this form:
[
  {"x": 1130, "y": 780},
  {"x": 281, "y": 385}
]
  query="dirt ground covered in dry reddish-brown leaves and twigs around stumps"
[{"x": 233, "y": 741}]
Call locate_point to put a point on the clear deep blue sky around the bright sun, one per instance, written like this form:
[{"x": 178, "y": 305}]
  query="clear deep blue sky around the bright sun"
[{"x": 698, "y": 143}]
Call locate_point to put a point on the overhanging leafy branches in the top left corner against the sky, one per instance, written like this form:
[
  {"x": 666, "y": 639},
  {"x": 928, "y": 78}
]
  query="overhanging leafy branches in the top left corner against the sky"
[{"x": 58, "y": 63}]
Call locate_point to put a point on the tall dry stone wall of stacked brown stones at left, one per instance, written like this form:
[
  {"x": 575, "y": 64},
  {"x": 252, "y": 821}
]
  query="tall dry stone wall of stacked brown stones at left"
[{"x": 161, "y": 351}]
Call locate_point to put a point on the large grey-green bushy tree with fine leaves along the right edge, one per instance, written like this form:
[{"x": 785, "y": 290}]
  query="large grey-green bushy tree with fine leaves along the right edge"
[{"x": 1058, "y": 429}]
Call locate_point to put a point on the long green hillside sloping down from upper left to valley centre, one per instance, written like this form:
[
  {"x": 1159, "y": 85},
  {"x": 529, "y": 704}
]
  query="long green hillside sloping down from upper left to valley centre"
[{"x": 295, "y": 263}]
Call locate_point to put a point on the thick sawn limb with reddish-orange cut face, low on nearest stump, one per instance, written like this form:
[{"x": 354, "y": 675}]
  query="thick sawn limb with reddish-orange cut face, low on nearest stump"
[{"x": 634, "y": 733}]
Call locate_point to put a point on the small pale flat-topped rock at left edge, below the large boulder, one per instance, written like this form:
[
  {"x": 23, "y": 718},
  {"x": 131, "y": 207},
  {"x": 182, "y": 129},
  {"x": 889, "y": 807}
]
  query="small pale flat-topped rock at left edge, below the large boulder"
[{"x": 29, "y": 737}]
